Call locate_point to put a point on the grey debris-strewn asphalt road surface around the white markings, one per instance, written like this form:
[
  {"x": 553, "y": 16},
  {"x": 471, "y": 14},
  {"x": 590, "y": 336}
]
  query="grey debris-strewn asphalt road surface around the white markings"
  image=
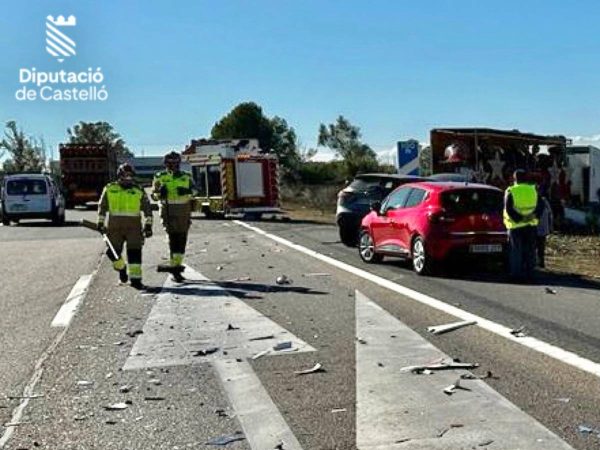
[{"x": 318, "y": 309}]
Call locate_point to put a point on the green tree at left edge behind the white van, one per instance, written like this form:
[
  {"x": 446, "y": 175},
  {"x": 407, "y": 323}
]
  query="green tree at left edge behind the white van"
[{"x": 25, "y": 153}]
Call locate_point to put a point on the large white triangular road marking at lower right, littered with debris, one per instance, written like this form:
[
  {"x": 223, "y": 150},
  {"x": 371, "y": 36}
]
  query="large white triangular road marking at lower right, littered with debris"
[{"x": 412, "y": 411}]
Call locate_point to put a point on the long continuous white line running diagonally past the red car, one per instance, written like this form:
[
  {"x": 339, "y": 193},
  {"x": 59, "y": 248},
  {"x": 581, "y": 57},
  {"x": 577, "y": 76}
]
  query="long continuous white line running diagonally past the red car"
[{"x": 553, "y": 351}]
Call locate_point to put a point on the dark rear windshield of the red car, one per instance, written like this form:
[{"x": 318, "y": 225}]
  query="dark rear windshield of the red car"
[{"x": 460, "y": 201}]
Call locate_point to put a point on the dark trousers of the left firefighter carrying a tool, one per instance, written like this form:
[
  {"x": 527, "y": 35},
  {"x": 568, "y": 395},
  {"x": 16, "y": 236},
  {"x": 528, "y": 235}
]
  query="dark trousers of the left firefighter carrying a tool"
[{"x": 126, "y": 232}]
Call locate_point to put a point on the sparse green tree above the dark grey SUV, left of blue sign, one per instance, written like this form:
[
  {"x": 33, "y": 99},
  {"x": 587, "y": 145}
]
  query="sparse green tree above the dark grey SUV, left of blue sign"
[{"x": 345, "y": 140}]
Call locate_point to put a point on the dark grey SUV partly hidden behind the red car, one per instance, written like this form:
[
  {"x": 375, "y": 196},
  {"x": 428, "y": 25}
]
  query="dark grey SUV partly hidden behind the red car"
[{"x": 354, "y": 201}]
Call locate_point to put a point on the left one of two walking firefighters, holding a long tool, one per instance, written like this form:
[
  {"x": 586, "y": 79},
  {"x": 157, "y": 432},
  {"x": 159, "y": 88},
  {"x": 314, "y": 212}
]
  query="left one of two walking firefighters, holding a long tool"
[{"x": 125, "y": 201}]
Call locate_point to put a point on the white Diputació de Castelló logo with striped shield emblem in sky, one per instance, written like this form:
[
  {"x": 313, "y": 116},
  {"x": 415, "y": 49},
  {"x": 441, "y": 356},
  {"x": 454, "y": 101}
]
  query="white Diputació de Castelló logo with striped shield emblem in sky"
[{"x": 62, "y": 85}]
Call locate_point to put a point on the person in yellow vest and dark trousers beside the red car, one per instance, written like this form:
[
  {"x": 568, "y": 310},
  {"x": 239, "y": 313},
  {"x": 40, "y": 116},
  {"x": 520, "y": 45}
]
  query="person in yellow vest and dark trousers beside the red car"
[{"x": 522, "y": 208}]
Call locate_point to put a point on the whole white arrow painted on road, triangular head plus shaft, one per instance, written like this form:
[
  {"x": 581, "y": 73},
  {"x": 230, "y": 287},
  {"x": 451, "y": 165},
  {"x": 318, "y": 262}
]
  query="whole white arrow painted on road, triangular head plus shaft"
[{"x": 195, "y": 316}]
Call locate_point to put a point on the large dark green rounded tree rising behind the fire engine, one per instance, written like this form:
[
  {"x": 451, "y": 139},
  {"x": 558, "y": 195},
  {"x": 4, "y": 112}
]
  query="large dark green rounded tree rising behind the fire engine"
[{"x": 247, "y": 121}]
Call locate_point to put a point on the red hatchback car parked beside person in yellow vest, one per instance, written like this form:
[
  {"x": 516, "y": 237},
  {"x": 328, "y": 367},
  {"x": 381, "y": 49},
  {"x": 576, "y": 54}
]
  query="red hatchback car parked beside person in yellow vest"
[{"x": 429, "y": 222}]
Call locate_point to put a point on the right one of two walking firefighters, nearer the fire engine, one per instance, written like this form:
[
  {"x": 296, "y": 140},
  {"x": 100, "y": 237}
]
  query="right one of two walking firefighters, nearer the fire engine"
[{"x": 174, "y": 189}]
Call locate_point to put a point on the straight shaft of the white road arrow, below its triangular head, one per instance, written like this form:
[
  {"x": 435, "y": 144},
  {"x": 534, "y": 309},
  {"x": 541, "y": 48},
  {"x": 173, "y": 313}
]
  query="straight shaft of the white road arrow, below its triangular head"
[{"x": 263, "y": 424}]
